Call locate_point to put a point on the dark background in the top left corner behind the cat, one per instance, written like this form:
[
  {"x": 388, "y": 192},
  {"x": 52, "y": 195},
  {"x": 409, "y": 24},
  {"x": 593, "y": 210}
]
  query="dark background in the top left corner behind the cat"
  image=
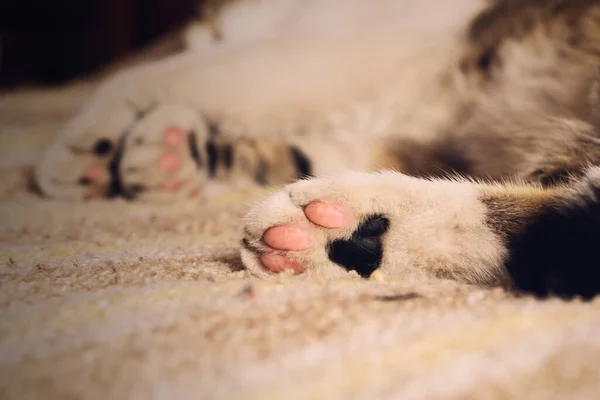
[{"x": 52, "y": 41}]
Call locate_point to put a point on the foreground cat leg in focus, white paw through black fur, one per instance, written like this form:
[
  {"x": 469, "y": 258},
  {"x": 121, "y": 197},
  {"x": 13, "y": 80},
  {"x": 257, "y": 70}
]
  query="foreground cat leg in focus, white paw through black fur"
[{"x": 535, "y": 240}]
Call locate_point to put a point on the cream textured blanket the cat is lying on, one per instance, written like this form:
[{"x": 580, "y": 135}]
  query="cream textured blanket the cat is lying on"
[{"x": 117, "y": 300}]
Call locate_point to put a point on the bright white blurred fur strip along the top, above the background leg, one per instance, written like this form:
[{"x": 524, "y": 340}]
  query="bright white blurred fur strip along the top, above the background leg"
[{"x": 254, "y": 21}]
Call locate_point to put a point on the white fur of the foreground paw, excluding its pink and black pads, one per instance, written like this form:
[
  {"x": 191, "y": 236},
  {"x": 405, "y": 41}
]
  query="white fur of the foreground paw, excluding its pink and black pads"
[{"x": 436, "y": 226}]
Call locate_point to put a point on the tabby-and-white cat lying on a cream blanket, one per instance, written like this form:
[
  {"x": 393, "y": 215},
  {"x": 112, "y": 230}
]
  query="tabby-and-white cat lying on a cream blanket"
[{"x": 487, "y": 112}]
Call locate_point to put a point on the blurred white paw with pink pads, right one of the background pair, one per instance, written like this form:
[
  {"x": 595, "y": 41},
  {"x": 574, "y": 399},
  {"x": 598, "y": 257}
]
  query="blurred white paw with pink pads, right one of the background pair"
[{"x": 165, "y": 155}]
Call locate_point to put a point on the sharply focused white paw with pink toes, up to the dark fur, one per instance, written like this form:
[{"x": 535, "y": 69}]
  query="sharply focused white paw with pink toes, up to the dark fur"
[{"x": 362, "y": 222}]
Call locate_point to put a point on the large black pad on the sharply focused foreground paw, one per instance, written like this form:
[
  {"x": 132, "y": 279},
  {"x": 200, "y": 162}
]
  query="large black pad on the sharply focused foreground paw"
[{"x": 363, "y": 252}]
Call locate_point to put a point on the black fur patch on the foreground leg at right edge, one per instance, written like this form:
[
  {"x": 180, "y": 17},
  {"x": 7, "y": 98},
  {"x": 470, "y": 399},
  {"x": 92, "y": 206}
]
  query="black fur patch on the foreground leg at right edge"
[{"x": 557, "y": 253}]
